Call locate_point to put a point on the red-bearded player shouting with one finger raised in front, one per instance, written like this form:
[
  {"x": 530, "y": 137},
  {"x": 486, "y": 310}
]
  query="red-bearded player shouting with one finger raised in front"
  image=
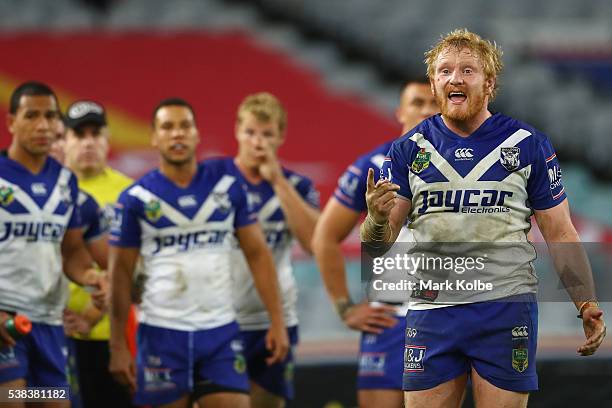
[{"x": 473, "y": 176}]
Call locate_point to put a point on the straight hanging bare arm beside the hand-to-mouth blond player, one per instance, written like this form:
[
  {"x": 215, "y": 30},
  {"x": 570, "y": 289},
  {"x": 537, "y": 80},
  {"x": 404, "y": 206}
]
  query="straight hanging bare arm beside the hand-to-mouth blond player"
[{"x": 259, "y": 258}]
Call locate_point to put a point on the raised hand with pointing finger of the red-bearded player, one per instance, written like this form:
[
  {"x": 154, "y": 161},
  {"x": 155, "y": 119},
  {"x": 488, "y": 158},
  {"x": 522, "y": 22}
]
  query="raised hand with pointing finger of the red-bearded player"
[{"x": 386, "y": 212}]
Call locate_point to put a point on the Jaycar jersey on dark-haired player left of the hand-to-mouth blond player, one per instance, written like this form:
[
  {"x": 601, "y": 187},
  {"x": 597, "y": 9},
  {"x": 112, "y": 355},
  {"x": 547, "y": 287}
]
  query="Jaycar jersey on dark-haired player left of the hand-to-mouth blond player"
[{"x": 186, "y": 237}]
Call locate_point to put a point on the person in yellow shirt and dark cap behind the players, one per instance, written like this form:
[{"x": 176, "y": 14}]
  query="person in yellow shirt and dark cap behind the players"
[{"x": 86, "y": 149}]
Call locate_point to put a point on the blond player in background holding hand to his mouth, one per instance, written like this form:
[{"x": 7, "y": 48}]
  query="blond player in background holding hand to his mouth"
[{"x": 287, "y": 207}]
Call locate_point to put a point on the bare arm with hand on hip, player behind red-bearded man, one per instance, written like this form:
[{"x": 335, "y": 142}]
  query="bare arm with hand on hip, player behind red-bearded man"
[{"x": 334, "y": 225}]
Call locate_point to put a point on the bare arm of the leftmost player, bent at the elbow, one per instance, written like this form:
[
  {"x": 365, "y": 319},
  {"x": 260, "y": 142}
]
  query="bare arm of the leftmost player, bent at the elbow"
[{"x": 78, "y": 266}]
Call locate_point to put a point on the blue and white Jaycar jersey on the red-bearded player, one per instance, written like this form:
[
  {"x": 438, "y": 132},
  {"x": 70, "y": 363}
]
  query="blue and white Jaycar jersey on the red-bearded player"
[{"x": 478, "y": 189}]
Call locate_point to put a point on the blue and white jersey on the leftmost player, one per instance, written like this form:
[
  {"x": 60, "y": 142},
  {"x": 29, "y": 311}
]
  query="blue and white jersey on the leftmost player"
[{"x": 35, "y": 212}]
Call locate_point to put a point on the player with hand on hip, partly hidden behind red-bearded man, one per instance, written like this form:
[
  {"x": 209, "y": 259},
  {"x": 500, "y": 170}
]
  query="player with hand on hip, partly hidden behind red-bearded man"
[{"x": 379, "y": 380}]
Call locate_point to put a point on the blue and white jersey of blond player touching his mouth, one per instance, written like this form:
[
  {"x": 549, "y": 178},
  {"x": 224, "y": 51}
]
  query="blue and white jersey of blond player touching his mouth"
[{"x": 251, "y": 312}]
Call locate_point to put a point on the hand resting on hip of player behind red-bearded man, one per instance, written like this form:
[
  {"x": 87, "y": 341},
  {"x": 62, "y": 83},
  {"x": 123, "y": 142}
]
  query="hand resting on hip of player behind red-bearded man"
[{"x": 371, "y": 319}]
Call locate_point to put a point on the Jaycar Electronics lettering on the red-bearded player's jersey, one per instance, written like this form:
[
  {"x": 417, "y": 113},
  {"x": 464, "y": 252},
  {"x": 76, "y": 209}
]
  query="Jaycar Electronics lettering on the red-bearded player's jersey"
[{"x": 466, "y": 201}]
